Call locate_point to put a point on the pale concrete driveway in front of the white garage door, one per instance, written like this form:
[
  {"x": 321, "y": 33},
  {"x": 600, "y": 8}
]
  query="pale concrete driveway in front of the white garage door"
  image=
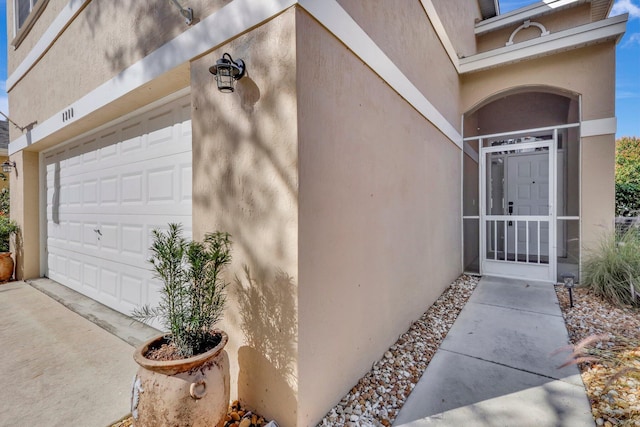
[{"x": 57, "y": 367}]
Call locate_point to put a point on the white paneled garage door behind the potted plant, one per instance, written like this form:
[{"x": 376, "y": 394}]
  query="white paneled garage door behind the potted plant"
[{"x": 106, "y": 192}]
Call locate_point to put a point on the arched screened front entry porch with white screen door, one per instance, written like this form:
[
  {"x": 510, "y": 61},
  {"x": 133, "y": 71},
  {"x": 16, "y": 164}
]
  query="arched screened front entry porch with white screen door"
[{"x": 521, "y": 188}]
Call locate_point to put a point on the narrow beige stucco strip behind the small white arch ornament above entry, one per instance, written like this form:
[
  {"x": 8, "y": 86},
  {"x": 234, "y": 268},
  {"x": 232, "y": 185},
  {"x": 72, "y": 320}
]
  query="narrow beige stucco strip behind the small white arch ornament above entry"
[{"x": 553, "y": 22}]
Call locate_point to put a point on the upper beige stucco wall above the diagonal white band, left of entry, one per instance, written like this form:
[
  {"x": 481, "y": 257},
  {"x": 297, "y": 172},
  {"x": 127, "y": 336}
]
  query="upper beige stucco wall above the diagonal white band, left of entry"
[{"x": 414, "y": 47}]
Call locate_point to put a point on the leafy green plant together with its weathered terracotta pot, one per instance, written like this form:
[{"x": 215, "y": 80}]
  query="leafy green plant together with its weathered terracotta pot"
[{"x": 183, "y": 379}]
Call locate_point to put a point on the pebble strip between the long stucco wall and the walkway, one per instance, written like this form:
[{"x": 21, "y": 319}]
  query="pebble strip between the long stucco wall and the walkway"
[{"x": 376, "y": 399}]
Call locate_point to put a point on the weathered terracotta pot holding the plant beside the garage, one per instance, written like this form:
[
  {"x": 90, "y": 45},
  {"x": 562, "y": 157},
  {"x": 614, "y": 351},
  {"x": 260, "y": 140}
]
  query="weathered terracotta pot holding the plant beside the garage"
[{"x": 186, "y": 392}]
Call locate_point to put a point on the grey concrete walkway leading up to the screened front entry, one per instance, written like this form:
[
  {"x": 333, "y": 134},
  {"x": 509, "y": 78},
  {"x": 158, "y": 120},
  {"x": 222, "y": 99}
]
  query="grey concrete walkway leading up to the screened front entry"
[{"x": 496, "y": 367}]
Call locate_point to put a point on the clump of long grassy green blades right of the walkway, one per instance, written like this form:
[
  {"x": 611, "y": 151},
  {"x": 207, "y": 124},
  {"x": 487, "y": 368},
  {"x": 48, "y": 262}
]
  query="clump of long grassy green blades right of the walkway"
[{"x": 613, "y": 270}]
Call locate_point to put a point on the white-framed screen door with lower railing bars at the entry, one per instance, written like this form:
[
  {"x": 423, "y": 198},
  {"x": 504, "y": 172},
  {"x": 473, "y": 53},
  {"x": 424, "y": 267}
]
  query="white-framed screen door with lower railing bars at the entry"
[{"x": 517, "y": 212}]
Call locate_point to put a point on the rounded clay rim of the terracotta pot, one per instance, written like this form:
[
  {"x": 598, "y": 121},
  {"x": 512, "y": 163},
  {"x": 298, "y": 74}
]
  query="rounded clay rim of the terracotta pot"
[{"x": 171, "y": 367}]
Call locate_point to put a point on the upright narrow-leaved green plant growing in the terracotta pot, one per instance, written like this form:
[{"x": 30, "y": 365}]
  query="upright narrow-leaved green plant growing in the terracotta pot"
[{"x": 193, "y": 293}]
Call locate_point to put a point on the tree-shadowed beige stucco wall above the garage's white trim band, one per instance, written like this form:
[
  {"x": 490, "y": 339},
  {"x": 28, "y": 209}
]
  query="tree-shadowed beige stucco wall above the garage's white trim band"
[{"x": 106, "y": 37}]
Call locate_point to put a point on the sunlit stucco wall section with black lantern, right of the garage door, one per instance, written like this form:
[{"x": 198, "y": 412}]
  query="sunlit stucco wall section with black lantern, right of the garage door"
[{"x": 245, "y": 181}]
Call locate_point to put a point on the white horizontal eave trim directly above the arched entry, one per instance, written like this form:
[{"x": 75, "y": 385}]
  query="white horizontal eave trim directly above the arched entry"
[{"x": 552, "y": 43}]
